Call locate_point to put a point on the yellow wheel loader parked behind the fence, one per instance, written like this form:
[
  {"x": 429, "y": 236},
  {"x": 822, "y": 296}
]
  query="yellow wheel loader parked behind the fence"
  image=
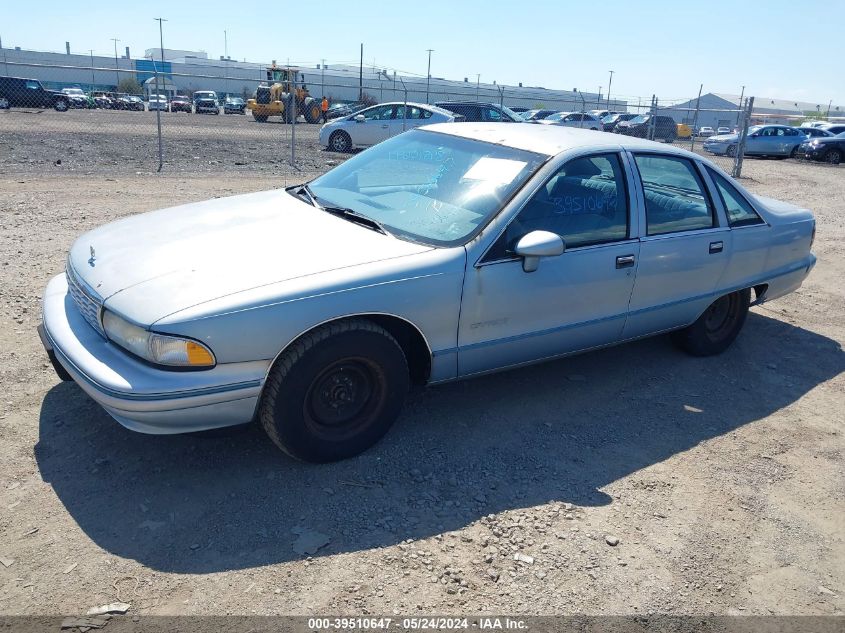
[{"x": 285, "y": 86}]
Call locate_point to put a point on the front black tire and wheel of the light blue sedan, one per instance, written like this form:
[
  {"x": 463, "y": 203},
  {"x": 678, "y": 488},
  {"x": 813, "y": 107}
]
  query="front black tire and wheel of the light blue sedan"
[{"x": 335, "y": 392}]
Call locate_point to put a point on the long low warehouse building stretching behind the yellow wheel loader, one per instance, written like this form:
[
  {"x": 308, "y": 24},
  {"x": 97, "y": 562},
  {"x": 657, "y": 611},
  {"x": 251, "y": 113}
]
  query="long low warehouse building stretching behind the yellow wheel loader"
[{"x": 188, "y": 71}]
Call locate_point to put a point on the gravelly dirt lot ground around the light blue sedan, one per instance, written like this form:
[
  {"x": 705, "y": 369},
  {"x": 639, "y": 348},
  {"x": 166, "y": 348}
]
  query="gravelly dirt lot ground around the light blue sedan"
[{"x": 721, "y": 478}]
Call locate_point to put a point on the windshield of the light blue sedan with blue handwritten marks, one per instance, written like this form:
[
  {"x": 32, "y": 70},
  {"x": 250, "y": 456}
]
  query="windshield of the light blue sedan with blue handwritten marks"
[{"x": 428, "y": 187}]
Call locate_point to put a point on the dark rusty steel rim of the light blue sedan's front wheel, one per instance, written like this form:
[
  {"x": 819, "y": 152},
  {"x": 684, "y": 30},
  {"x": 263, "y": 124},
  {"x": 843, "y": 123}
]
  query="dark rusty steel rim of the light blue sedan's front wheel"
[{"x": 344, "y": 398}]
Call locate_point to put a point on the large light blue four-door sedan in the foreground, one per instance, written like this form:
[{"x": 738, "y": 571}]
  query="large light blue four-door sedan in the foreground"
[{"x": 441, "y": 254}]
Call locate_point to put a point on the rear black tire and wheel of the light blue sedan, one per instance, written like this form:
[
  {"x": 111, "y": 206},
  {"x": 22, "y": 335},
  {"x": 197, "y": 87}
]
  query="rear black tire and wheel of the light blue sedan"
[{"x": 716, "y": 329}]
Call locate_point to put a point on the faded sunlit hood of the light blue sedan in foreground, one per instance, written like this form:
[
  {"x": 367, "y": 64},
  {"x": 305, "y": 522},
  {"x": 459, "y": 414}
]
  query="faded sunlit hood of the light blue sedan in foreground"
[{"x": 148, "y": 266}]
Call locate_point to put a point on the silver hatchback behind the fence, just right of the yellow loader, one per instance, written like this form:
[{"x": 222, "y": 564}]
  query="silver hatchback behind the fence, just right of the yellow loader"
[{"x": 378, "y": 123}]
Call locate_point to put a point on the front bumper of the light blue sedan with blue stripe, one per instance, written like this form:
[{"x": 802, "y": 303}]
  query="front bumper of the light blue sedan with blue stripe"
[{"x": 140, "y": 396}]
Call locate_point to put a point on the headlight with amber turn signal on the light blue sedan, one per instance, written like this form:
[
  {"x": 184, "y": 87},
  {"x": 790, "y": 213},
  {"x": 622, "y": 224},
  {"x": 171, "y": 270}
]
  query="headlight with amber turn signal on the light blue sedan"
[{"x": 161, "y": 349}]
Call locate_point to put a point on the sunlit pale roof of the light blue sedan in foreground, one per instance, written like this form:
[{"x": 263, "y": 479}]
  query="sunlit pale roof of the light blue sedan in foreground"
[{"x": 549, "y": 139}]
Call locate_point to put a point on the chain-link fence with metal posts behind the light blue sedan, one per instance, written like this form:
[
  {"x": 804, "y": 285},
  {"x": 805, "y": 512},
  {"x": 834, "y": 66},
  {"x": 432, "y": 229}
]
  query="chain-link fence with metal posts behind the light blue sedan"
[{"x": 126, "y": 120}]
